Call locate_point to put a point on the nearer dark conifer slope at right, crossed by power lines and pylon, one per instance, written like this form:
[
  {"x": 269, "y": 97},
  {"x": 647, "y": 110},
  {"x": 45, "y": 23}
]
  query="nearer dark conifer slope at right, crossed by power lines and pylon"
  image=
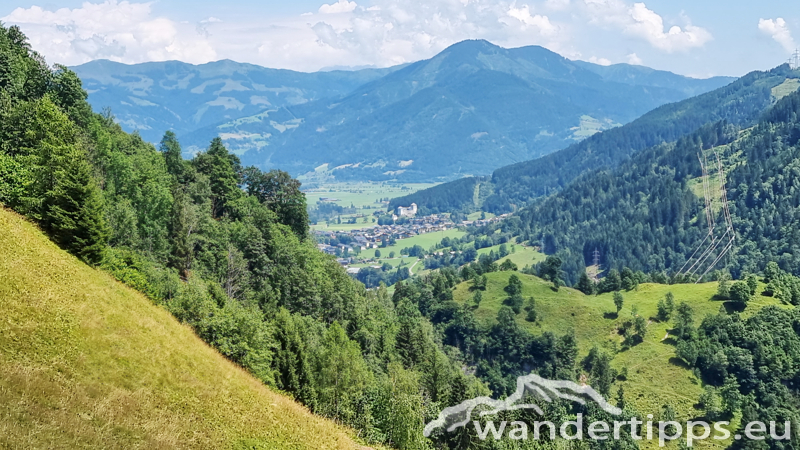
[{"x": 646, "y": 214}]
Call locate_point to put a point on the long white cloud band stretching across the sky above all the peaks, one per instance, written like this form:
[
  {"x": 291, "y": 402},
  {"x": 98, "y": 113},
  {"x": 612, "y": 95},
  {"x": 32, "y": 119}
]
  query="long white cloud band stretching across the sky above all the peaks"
[{"x": 340, "y": 33}]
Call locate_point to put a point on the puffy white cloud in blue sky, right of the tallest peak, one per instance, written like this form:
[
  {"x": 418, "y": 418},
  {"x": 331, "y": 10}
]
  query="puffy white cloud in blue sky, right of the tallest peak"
[{"x": 639, "y": 21}]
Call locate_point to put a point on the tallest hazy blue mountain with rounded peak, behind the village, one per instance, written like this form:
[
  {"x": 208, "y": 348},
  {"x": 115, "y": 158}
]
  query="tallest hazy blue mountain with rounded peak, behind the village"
[{"x": 471, "y": 108}]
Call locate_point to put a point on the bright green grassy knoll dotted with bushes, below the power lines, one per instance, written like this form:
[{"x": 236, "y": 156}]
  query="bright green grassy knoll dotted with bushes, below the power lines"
[{"x": 655, "y": 375}]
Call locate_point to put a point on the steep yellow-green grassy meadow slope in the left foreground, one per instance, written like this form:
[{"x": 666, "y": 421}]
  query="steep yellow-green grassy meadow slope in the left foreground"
[{"x": 88, "y": 363}]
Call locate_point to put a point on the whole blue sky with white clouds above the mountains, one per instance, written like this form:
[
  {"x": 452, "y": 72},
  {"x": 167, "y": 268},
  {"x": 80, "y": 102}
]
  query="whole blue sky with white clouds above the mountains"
[{"x": 699, "y": 38}]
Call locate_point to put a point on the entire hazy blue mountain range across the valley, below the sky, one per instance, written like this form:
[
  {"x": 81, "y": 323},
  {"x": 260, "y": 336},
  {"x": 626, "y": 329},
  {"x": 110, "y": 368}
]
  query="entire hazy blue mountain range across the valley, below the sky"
[{"x": 470, "y": 109}]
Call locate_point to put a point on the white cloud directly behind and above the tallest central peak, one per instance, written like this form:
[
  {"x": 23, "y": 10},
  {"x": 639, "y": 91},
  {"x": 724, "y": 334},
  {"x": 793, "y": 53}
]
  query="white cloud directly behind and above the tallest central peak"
[{"x": 392, "y": 32}]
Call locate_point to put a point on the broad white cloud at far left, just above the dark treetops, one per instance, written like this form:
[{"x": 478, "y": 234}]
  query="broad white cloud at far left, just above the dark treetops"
[{"x": 120, "y": 31}]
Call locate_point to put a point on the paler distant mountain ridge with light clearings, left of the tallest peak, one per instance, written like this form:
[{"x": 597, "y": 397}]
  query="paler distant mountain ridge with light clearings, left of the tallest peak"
[{"x": 157, "y": 96}]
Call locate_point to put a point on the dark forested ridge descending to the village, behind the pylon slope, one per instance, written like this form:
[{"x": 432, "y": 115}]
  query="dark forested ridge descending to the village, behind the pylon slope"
[{"x": 740, "y": 103}]
